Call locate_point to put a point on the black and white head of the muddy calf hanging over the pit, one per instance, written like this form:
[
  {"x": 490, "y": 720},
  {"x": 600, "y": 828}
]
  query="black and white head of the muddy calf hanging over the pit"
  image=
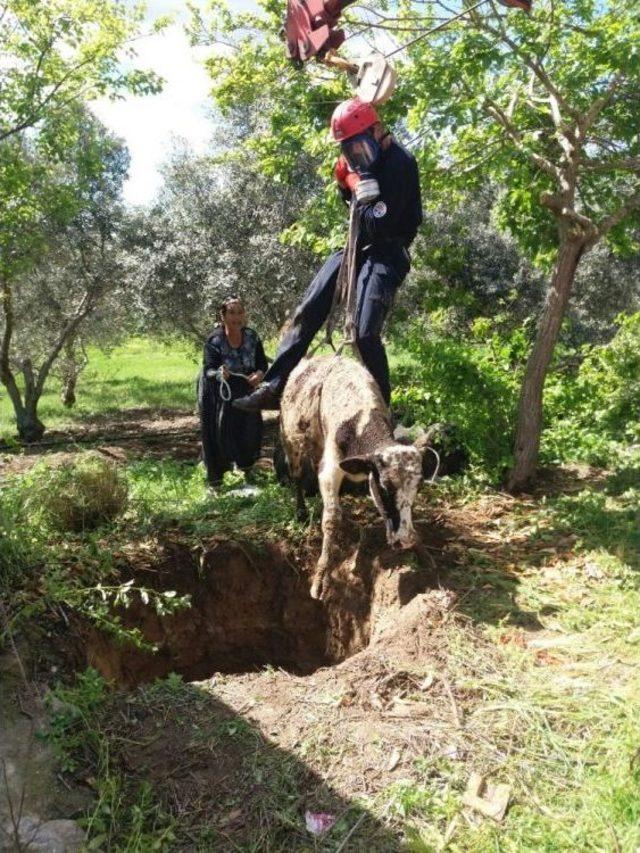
[{"x": 394, "y": 474}]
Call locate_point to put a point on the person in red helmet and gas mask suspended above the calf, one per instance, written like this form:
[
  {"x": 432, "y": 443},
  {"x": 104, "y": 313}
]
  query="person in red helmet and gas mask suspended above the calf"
[{"x": 383, "y": 176}]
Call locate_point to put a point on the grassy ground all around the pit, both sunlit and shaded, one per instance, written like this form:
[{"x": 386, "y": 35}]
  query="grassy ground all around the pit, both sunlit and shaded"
[{"x": 532, "y": 680}]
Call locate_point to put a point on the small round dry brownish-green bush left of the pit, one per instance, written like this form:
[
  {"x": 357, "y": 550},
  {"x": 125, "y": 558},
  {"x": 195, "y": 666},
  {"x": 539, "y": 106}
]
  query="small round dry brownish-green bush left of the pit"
[{"x": 81, "y": 494}]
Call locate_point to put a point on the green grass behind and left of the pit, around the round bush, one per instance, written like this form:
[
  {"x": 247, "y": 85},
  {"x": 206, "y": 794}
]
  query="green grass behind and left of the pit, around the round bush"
[{"x": 82, "y": 567}]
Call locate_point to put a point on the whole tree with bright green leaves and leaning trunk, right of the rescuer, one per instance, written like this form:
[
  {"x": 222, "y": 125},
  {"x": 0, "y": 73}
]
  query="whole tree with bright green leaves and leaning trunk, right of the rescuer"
[{"x": 547, "y": 99}]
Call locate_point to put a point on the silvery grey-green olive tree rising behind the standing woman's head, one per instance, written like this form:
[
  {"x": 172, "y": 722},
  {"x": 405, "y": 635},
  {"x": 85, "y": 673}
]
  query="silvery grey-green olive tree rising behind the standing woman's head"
[{"x": 214, "y": 232}]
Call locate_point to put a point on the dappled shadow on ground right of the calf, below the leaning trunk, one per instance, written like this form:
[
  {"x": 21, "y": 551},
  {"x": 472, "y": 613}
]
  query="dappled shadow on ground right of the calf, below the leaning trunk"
[{"x": 483, "y": 568}]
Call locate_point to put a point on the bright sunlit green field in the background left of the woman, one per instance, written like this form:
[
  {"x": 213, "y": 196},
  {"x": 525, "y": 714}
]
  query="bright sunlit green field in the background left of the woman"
[{"x": 142, "y": 373}]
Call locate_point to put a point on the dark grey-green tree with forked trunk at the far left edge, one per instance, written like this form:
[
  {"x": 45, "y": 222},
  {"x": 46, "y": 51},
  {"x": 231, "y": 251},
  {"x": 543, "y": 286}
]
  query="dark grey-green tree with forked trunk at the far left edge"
[{"x": 47, "y": 298}]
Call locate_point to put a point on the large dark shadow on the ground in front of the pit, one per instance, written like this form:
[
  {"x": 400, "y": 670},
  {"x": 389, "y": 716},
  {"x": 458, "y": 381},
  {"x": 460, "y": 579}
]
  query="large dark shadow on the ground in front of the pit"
[{"x": 228, "y": 785}]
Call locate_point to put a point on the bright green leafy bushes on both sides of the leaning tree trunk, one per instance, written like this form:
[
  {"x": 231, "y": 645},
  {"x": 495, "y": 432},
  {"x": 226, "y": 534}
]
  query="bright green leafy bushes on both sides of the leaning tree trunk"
[{"x": 472, "y": 379}]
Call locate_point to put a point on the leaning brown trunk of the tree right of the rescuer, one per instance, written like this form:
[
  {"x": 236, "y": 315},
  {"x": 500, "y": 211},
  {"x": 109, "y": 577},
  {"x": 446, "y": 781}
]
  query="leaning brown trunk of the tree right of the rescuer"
[{"x": 527, "y": 443}]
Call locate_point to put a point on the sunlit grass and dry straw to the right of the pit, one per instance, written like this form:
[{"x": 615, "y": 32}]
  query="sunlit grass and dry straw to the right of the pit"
[{"x": 559, "y": 716}]
